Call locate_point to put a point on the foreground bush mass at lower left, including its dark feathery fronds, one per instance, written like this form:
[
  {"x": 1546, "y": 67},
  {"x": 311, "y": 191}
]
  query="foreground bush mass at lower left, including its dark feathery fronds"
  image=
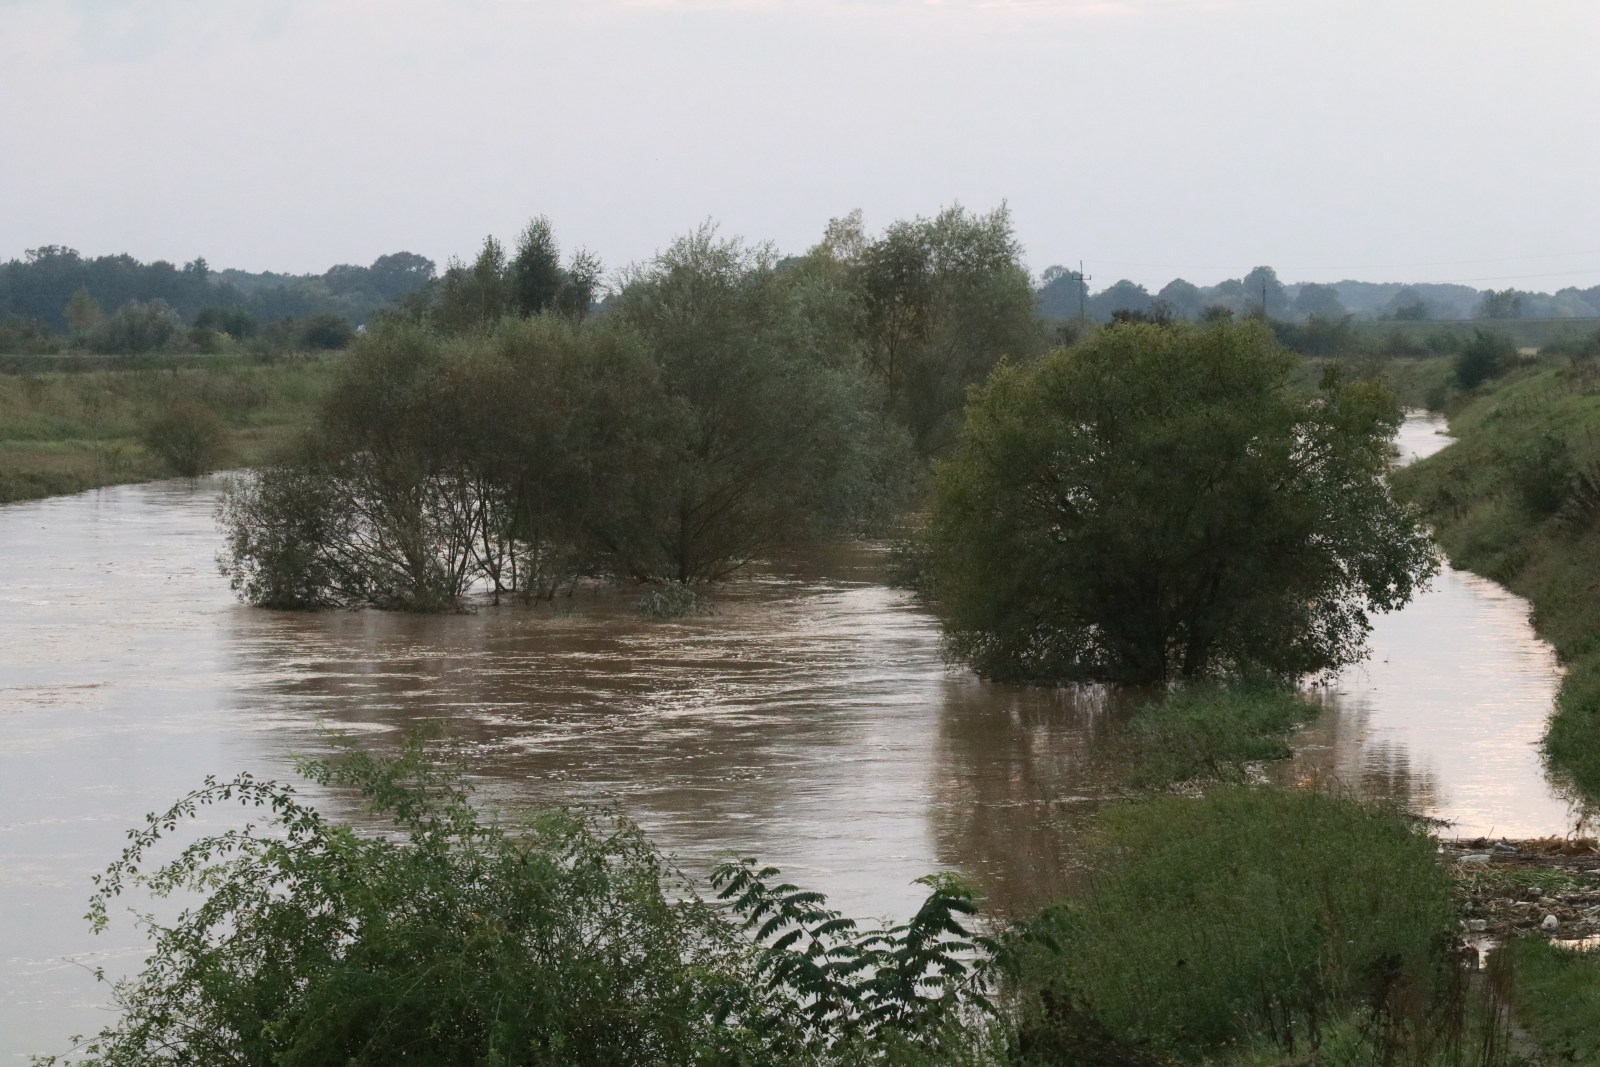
[{"x": 452, "y": 940}]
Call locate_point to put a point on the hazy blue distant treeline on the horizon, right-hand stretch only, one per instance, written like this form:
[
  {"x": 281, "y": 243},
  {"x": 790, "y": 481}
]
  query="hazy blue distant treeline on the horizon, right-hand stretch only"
[{"x": 1065, "y": 295}]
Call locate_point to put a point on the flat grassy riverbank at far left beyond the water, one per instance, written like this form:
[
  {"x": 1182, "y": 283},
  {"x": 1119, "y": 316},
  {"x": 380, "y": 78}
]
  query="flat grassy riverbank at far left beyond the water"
[{"x": 71, "y": 425}]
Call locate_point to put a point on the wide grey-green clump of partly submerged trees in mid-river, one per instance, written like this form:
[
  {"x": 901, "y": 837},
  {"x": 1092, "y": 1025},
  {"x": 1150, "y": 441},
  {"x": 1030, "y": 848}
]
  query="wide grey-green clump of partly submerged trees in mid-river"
[{"x": 714, "y": 418}]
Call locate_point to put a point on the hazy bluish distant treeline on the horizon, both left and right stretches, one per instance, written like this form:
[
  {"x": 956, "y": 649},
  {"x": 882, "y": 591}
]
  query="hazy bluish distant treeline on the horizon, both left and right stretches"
[{"x": 55, "y": 298}]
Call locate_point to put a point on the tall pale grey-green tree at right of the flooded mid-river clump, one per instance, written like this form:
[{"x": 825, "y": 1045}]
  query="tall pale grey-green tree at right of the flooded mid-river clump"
[{"x": 775, "y": 441}]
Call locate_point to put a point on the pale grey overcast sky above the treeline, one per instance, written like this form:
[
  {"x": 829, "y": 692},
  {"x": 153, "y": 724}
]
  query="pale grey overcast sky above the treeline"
[{"x": 1383, "y": 140}]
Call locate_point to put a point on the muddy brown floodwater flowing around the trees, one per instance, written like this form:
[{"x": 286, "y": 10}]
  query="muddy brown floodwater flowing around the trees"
[{"x": 809, "y": 722}]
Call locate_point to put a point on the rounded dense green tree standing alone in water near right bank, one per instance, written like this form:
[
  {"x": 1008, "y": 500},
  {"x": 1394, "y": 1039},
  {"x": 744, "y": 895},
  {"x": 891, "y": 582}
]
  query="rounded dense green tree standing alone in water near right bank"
[{"x": 1162, "y": 503}]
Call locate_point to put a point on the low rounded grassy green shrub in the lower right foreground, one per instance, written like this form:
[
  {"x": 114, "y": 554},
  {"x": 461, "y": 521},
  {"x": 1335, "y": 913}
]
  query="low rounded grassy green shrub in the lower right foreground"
[{"x": 1244, "y": 914}]
